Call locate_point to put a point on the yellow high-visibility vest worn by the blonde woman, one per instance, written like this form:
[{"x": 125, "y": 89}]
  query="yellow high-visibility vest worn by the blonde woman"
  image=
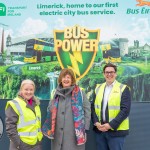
[{"x": 29, "y": 123}]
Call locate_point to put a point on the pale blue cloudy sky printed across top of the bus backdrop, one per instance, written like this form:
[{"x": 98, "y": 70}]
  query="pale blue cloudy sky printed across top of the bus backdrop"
[{"x": 128, "y": 21}]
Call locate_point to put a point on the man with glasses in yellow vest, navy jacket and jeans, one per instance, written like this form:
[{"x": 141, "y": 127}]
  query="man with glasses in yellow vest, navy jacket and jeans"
[{"x": 110, "y": 111}]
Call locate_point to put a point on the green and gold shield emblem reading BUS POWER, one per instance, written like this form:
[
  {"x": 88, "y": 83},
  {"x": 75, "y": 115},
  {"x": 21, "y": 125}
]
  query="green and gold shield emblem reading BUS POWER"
[{"x": 76, "y": 48}]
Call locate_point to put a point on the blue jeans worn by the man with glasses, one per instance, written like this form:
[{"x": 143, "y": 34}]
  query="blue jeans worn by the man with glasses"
[{"x": 106, "y": 142}]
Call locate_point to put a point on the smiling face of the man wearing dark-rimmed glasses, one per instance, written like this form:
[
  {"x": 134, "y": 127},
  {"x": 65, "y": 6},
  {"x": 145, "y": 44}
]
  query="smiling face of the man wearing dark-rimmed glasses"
[{"x": 110, "y": 75}]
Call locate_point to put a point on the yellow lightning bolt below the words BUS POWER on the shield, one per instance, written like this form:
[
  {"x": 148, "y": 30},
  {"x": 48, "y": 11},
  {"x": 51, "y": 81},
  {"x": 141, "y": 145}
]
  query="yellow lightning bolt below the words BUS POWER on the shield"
[{"x": 75, "y": 58}]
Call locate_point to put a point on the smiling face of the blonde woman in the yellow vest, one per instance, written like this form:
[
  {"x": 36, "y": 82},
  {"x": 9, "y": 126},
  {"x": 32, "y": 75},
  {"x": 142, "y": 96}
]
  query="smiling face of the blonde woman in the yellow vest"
[{"x": 27, "y": 91}]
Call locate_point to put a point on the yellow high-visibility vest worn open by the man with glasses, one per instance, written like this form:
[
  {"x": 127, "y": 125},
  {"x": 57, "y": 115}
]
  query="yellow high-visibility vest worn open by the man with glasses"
[{"x": 113, "y": 103}]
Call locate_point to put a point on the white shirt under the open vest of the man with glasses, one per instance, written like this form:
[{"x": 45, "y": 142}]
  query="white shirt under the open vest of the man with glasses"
[{"x": 107, "y": 91}]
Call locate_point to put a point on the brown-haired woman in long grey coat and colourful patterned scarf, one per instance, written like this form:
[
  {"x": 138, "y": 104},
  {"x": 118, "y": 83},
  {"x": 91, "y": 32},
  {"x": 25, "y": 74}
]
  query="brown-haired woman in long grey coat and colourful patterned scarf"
[{"x": 68, "y": 115}]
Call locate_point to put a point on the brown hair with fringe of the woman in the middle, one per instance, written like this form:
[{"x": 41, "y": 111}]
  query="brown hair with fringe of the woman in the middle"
[{"x": 65, "y": 72}]
